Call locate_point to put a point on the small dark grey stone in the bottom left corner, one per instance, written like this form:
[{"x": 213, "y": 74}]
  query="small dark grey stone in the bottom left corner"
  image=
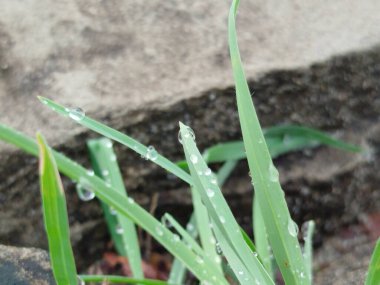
[{"x": 24, "y": 266}]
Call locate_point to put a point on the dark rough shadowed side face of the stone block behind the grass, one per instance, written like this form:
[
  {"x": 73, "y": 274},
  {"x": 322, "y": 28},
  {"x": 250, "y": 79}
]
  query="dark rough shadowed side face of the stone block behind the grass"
[{"x": 332, "y": 187}]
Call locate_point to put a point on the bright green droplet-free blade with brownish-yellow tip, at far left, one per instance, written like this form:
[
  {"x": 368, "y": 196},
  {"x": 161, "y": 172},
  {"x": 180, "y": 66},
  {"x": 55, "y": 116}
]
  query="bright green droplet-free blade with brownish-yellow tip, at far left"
[{"x": 55, "y": 218}]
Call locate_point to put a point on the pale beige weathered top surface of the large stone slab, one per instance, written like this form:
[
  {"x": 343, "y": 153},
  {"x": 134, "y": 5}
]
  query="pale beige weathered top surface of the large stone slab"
[{"x": 111, "y": 57}]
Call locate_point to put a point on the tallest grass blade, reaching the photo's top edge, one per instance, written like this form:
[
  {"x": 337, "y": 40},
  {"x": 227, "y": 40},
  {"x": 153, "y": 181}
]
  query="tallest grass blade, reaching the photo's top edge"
[{"x": 284, "y": 242}]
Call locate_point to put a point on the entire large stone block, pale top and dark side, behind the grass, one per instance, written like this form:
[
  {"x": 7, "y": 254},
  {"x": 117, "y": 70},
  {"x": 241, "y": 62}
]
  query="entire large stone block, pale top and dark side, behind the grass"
[{"x": 141, "y": 67}]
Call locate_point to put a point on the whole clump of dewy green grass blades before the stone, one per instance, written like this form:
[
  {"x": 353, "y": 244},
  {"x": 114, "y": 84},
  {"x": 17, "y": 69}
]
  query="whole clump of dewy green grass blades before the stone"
[{"x": 212, "y": 246}]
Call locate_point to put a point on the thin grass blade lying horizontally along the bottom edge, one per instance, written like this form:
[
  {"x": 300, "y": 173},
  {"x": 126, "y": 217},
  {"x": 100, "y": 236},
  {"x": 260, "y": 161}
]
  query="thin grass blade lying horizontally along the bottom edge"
[{"x": 121, "y": 279}]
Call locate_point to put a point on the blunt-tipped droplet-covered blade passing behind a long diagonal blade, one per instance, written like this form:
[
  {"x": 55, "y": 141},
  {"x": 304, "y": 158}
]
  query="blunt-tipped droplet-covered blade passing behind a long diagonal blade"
[{"x": 105, "y": 165}]
